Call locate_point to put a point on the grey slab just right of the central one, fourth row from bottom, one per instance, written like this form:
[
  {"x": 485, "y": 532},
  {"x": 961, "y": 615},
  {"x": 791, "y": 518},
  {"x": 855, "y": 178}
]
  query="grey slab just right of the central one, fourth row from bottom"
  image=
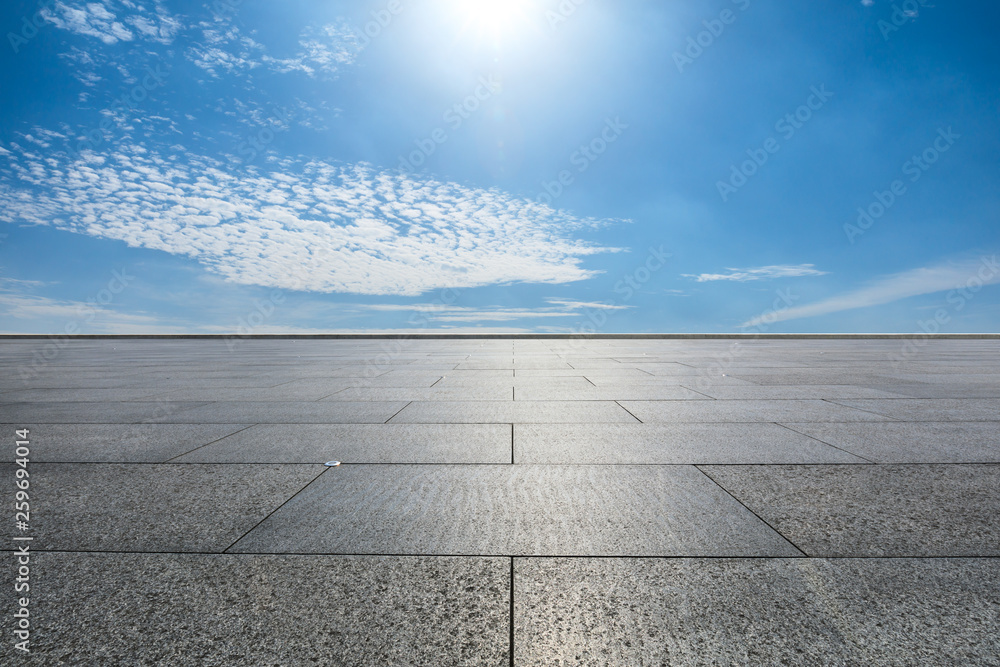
[{"x": 747, "y": 411}]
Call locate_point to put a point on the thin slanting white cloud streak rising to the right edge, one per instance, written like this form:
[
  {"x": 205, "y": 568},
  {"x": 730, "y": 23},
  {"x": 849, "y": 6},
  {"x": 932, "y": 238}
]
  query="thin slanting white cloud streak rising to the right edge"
[{"x": 927, "y": 280}]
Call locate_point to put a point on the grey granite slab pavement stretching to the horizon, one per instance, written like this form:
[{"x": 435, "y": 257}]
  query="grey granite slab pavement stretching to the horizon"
[{"x": 525, "y": 502}]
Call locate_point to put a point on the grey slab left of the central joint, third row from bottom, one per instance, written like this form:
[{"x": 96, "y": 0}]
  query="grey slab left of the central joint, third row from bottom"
[{"x": 361, "y": 443}]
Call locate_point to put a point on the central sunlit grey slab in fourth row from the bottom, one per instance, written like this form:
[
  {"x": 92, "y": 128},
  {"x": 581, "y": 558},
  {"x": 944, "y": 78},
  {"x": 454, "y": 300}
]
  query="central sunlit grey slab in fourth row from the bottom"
[{"x": 517, "y": 412}]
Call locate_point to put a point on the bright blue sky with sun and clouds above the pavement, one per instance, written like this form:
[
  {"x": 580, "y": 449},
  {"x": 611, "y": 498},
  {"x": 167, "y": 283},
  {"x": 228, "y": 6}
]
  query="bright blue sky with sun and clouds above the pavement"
[{"x": 583, "y": 165}]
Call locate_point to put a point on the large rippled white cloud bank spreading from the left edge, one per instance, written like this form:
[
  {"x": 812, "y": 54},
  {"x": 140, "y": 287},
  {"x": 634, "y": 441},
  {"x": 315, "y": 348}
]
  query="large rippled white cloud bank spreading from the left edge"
[{"x": 310, "y": 226}]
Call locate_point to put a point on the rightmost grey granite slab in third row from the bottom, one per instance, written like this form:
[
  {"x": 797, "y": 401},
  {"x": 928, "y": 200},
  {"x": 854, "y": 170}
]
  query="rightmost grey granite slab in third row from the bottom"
[{"x": 912, "y": 442}]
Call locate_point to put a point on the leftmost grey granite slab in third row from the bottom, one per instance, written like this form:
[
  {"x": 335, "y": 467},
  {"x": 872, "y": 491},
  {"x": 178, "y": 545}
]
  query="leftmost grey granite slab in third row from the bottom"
[{"x": 119, "y": 443}]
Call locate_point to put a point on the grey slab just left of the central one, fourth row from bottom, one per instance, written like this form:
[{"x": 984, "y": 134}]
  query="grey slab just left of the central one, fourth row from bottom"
[{"x": 278, "y": 412}]
